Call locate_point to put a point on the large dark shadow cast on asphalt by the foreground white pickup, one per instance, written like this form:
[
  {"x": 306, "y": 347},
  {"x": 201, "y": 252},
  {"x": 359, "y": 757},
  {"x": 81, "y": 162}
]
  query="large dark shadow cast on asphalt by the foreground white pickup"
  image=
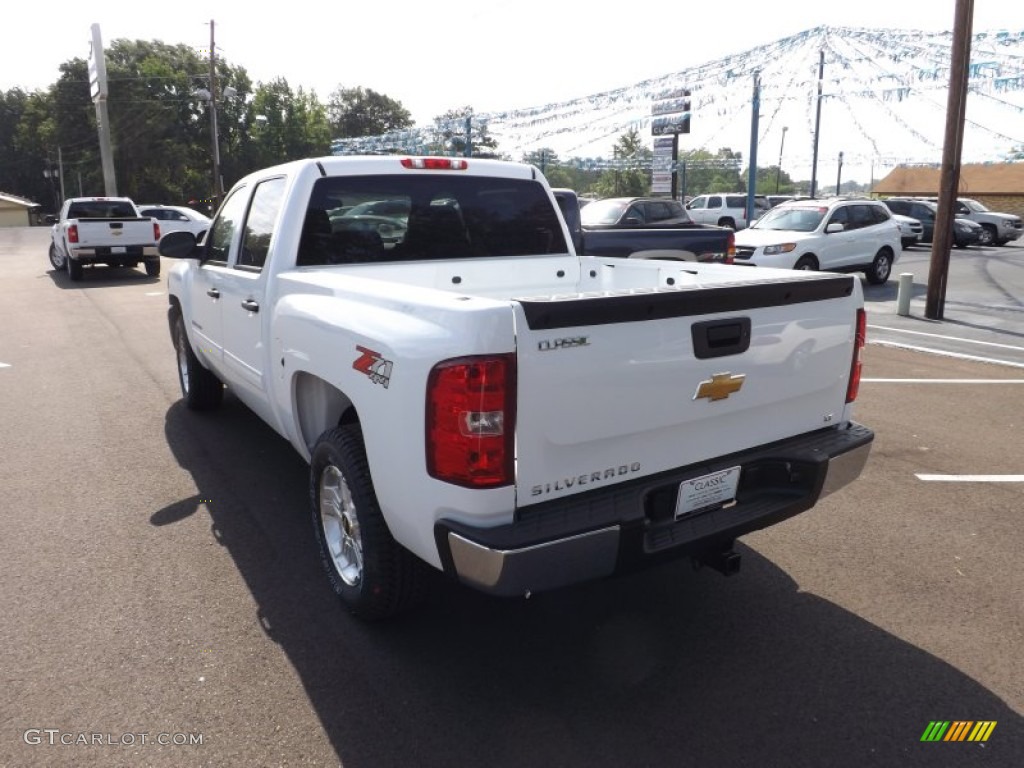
[{"x": 665, "y": 668}]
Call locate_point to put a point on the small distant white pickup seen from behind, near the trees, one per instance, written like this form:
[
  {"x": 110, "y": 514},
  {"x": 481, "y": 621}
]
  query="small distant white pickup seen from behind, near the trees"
[{"x": 104, "y": 231}]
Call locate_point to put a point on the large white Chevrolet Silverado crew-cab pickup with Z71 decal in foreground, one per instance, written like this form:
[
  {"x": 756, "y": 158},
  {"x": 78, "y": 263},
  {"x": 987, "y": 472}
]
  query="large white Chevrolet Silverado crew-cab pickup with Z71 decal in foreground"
[{"x": 473, "y": 396}]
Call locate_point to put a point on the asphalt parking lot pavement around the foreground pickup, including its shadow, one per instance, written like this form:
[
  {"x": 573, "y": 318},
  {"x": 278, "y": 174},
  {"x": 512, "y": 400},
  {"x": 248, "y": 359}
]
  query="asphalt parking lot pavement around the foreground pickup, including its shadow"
[{"x": 163, "y": 606}]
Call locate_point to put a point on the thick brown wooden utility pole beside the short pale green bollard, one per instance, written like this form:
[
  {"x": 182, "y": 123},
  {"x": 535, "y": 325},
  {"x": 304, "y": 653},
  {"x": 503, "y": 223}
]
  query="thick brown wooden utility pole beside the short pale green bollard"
[{"x": 952, "y": 149}]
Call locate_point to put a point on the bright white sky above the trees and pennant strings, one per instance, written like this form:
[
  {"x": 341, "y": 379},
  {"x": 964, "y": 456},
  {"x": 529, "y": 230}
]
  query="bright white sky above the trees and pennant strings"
[{"x": 493, "y": 56}]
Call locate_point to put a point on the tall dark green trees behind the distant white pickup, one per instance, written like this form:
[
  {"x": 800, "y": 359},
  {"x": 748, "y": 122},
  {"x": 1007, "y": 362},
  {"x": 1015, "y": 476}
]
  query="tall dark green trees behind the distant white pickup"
[{"x": 160, "y": 127}]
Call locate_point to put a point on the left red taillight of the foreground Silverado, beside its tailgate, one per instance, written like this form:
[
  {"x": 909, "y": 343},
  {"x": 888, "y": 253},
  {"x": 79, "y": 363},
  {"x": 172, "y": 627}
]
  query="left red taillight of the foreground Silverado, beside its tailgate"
[{"x": 472, "y": 421}]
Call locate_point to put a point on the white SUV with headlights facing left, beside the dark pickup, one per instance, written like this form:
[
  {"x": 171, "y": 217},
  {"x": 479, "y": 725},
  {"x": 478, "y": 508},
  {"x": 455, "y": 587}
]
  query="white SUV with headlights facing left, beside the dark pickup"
[{"x": 837, "y": 235}]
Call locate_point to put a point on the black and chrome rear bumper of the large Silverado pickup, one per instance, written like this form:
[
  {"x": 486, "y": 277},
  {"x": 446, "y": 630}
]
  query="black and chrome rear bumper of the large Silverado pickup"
[{"x": 633, "y": 525}]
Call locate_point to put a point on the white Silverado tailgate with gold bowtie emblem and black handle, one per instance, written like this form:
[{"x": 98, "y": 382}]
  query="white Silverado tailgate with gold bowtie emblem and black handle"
[{"x": 619, "y": 387}]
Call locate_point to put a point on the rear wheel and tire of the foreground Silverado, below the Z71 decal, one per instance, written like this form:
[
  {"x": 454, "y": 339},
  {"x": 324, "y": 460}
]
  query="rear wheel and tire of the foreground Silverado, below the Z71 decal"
[{"x": 372, "y": 574}]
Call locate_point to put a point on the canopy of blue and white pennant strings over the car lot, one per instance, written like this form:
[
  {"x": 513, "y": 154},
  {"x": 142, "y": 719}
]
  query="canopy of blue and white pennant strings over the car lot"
[{"x": 883, "y": 92}]
